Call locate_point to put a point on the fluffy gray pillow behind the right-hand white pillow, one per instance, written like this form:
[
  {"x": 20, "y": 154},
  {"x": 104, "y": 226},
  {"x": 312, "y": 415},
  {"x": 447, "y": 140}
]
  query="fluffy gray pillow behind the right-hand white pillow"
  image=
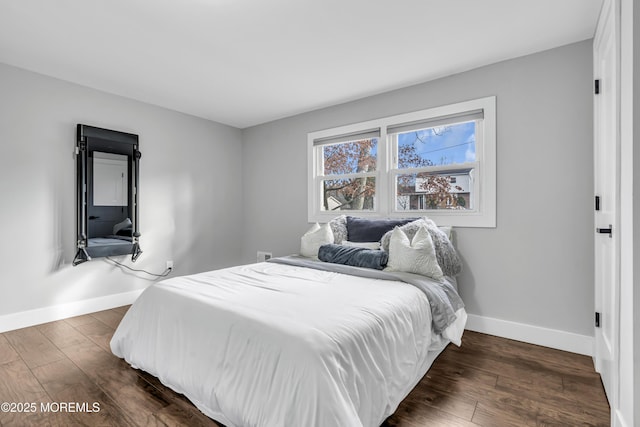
[{"x": 446, "y": 254}]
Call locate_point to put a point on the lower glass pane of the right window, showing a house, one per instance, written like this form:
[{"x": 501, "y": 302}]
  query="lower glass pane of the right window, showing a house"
[{"x": 426, "y": 191}]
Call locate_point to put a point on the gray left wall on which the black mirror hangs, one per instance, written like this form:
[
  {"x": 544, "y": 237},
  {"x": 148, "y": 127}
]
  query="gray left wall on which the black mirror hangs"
[{"x": 190, "y": 180}]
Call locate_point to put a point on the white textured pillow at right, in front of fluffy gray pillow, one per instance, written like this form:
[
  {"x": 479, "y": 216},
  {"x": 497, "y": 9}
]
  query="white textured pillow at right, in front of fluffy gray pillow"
[{"x": 416, "y": 256}]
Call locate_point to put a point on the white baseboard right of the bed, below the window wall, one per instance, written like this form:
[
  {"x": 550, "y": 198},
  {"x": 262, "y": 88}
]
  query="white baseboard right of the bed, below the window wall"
[{"x": 553, "y": 338}]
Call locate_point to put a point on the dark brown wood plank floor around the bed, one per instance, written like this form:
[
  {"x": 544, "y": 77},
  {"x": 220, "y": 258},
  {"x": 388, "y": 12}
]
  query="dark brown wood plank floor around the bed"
[{"x": 488, "y": 381}]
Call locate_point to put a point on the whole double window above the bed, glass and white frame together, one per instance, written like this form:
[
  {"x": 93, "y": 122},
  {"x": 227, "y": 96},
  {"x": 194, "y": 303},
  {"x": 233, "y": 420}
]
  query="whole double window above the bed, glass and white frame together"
[{"x": 439, "y": 162}]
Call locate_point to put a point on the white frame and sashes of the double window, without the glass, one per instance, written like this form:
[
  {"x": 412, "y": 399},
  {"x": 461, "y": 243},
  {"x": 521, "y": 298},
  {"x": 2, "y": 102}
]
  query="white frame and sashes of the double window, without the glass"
[{"x": 483, "y": 213}]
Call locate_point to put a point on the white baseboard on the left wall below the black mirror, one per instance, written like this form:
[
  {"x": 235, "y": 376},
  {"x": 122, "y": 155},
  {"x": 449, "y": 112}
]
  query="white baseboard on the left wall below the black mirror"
[{"x": 23, "y": 319}]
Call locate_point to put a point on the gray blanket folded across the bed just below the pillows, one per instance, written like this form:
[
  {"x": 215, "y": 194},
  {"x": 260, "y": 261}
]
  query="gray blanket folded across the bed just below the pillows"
[{"x": 443, "y": 297}]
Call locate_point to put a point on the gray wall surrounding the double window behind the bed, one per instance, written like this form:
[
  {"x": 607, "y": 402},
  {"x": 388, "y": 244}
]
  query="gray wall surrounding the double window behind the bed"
[{"x": 536, "y": 266}]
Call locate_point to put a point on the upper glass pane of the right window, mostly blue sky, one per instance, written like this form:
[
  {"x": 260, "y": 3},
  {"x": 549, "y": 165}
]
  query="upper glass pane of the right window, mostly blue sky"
[{"x": 439, "y": 145}]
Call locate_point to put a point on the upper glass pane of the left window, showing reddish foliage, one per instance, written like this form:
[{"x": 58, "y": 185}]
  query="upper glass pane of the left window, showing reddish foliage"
[{"x": 350, "y": 157}]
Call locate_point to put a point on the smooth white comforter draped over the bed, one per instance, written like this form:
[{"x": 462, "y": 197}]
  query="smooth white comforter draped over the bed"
[{"x": 277, "y": 345}]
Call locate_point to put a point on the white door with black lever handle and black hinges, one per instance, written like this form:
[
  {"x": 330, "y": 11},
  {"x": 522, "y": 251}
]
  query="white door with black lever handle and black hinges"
[{"x": 607, "y": 184}]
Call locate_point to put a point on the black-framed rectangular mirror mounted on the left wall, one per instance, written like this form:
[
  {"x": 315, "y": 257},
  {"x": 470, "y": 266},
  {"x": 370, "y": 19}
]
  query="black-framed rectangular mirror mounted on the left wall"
[{"x": 107, "y": 165}]
